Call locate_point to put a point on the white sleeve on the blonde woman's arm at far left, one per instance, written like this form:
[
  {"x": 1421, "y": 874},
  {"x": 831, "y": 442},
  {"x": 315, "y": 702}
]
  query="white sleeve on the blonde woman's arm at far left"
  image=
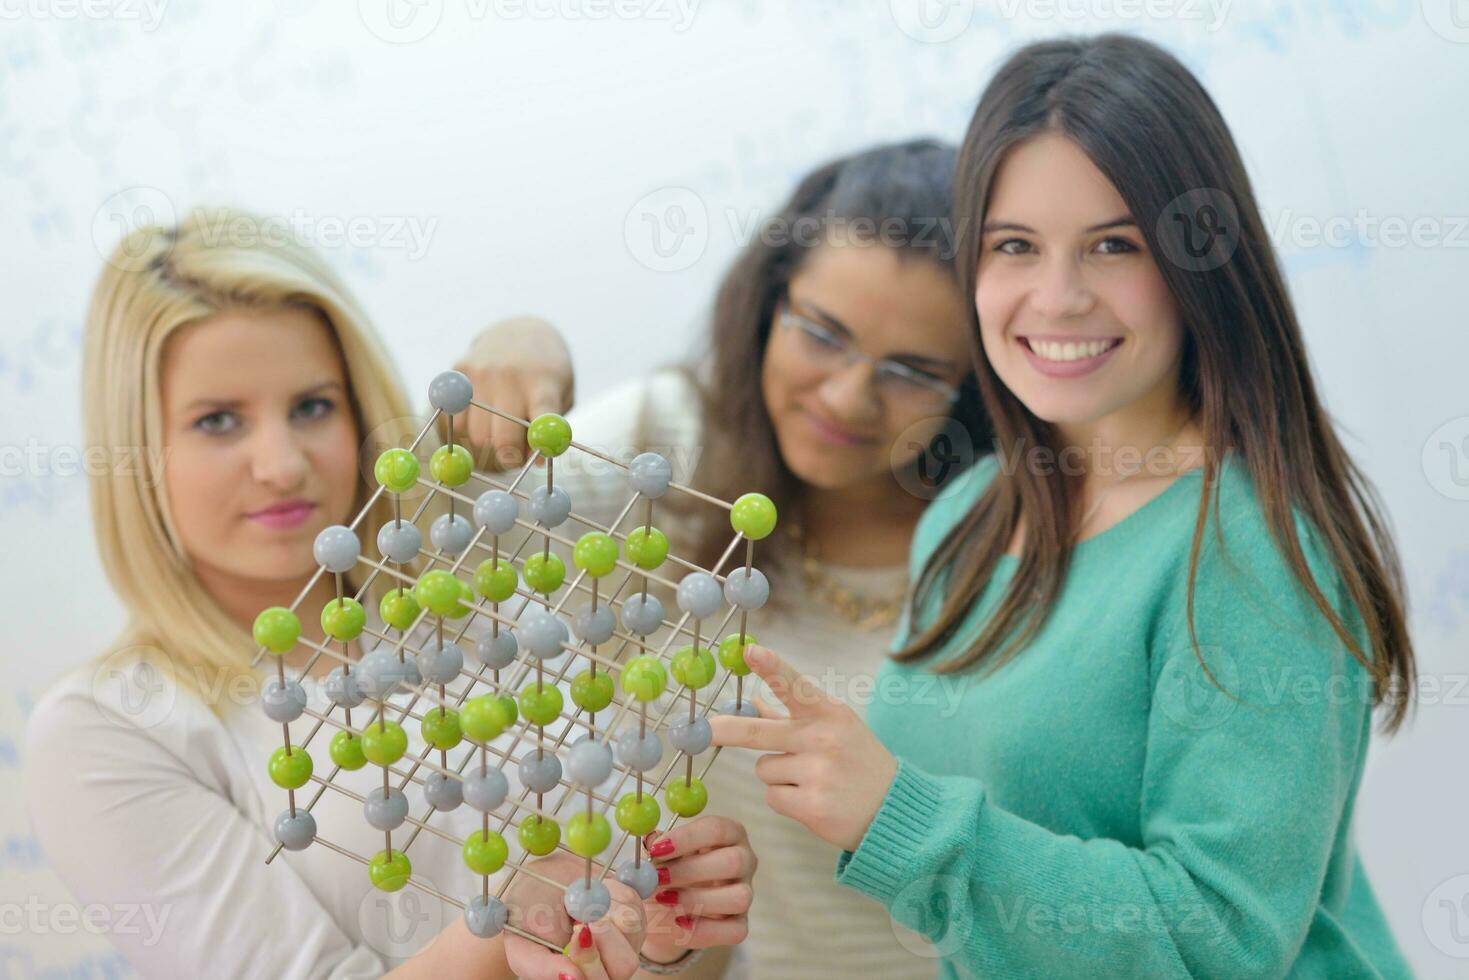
[{"x": 131, "y": 826}]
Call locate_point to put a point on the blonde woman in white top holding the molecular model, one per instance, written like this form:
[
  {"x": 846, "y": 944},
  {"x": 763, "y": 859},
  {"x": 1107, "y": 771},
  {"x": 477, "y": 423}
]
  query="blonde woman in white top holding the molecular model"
[{"x": 255, "y": 377}]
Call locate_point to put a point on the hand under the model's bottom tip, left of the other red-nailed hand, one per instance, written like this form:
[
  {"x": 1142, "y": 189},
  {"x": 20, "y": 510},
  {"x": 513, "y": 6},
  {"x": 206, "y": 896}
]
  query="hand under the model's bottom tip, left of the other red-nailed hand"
[{"x": 597, "y": 951}]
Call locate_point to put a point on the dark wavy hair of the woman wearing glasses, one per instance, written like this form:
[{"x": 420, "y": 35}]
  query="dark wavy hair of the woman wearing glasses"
[{"x": 904, "y": 196}]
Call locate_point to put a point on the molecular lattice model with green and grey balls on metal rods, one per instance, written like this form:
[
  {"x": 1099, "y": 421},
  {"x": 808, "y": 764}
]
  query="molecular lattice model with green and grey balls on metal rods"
[{"x": 499, "y": 706}]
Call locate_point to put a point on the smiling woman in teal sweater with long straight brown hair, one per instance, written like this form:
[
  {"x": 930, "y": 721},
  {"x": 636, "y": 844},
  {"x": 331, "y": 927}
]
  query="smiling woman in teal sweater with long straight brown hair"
[{"x": 1127, "y": 716}]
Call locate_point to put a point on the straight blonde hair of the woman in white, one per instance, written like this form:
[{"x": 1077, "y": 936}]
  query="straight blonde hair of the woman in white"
[{"x": 158, "y": 281}]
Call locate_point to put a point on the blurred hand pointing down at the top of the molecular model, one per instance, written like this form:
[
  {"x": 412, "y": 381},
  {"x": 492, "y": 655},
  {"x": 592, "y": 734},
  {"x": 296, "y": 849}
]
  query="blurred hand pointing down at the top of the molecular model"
[{"x": 522, "y": 367}]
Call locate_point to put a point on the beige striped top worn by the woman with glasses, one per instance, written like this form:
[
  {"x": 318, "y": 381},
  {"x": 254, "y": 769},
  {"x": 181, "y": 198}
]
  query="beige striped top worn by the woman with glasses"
[{"x": 803, "y": 925}]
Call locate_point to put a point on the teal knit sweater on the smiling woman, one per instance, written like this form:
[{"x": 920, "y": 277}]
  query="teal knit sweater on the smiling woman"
[{"x": 1097, "y": 807}]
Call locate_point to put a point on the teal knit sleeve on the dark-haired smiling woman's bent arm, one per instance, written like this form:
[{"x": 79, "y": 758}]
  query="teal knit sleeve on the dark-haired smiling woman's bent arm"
[{"x": 1244, "y": 799}]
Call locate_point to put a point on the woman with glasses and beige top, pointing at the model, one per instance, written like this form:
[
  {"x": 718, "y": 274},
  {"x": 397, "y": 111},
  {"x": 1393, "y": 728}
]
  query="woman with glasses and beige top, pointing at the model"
[{"x": 838, "y": 383}]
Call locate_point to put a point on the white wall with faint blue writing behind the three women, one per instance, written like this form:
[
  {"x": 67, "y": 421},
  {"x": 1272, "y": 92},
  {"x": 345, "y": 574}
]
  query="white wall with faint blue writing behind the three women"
[{"x": 600, "y": 164}]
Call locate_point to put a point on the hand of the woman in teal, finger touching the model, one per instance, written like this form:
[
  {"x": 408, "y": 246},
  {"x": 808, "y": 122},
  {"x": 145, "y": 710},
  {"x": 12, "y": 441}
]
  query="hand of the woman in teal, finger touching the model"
[{"x": 826, "y": 771}]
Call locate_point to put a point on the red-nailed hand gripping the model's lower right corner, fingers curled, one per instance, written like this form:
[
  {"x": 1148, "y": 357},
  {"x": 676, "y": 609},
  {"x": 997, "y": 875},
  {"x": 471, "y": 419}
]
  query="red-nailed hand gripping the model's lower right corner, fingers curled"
[{"x": 704, "y": 888}]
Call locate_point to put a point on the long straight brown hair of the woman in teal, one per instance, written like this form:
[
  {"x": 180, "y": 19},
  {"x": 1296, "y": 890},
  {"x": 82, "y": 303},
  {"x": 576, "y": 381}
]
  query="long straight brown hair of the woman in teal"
[{"x": 1148, "y": 124}]
